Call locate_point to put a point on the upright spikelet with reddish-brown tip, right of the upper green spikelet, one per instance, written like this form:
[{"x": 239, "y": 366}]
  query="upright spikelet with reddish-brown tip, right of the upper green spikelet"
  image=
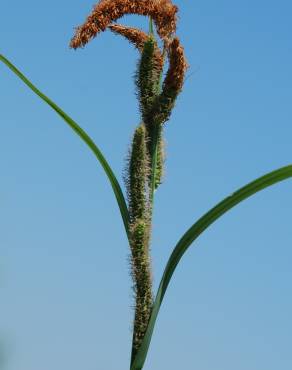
[{"x": 173, "y": 82}]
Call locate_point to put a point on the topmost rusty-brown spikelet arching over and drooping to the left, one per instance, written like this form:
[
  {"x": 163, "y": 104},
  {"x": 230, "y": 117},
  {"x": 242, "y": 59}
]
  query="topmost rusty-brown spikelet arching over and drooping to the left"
[{"x": 163, "y": 12}]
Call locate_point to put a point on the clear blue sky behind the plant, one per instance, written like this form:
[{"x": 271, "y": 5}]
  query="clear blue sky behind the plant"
[{"x": 64, "y": 275}]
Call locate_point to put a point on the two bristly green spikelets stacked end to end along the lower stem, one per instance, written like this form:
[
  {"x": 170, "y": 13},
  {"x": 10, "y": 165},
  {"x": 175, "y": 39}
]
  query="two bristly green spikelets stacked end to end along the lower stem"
[{"x": 139, "y": 209}]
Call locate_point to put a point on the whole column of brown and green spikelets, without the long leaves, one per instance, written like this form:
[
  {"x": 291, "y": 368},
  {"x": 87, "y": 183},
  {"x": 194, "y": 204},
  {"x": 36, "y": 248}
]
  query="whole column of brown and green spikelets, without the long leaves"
[{"x": 156, "y": 100}]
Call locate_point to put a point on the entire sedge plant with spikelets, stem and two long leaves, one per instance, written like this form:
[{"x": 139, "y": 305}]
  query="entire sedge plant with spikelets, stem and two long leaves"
[{"x": 159, "y": 79}]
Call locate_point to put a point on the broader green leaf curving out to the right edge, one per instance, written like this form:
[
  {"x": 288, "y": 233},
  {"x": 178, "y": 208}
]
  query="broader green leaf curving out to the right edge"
[{"x": 192, "y": 234}]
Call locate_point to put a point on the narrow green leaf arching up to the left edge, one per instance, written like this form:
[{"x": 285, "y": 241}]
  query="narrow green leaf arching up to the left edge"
[{"x": 84, "y": 136}]
